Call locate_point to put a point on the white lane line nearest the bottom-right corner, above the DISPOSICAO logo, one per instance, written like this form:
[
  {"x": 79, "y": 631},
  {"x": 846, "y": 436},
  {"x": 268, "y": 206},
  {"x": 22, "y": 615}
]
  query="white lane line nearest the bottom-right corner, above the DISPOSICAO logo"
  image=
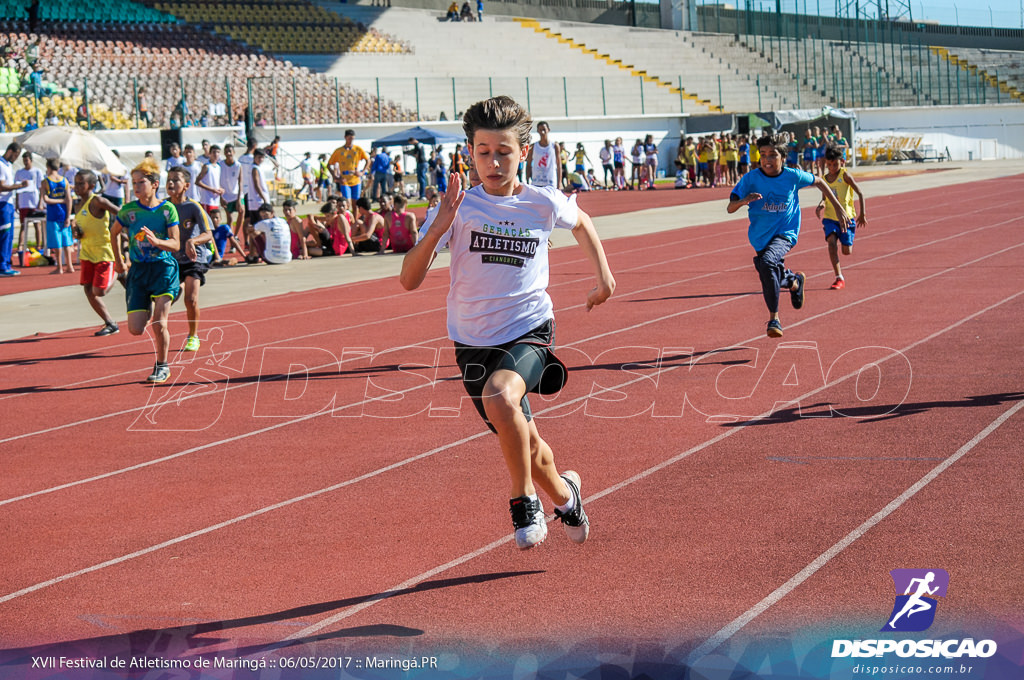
[{"x": 738, "y": 624}]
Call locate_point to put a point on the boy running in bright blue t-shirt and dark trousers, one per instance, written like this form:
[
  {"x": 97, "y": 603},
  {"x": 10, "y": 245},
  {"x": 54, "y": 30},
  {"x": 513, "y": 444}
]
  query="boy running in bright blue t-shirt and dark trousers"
[{"x": 774, "y": 208}]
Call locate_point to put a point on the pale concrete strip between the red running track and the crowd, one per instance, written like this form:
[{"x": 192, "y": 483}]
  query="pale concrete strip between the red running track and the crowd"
[{"x": 56, "y": 310}]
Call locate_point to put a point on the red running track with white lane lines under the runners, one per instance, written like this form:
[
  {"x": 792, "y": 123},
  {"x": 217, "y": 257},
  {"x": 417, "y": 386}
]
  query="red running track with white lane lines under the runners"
[{"x": 735, "y": 483}]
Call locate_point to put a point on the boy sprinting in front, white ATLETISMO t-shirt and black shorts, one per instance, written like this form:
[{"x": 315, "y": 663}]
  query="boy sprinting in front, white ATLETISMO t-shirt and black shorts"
[{"x": 500, "y": 316}]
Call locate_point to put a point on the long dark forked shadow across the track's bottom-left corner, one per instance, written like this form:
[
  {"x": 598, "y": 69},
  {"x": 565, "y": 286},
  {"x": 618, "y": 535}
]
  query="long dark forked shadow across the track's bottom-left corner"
[{"x": 181, "y": 641}]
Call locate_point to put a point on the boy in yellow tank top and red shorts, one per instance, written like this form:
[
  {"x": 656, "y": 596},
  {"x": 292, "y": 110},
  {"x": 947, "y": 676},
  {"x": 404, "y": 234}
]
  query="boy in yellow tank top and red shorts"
[{"x": 92, "y": 215}]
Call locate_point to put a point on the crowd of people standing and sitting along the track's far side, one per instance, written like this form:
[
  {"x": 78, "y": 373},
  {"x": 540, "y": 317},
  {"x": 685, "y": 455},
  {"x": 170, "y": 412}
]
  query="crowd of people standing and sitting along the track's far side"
[{"x": 233, "y": 188}]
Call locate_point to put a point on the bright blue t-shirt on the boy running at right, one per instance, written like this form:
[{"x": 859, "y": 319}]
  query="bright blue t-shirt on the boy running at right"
[{"x": 778, "y": 212}]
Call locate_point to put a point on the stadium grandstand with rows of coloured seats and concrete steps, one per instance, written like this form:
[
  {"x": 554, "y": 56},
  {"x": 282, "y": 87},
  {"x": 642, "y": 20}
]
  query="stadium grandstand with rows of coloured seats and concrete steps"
[{"x": 177, "y": 63}]
